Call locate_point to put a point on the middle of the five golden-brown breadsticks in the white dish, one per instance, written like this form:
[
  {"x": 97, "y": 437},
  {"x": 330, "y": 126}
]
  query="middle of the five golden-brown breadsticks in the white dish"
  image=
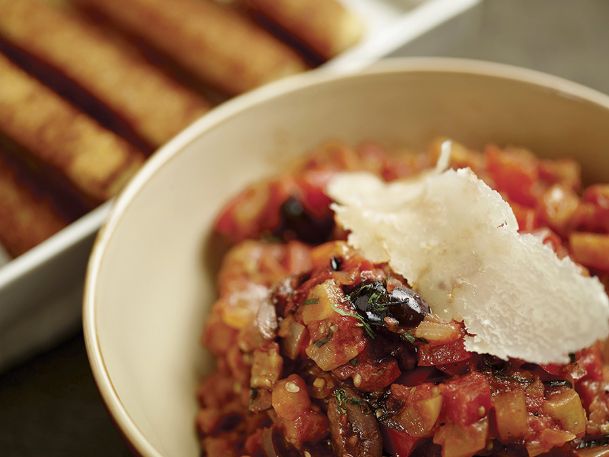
[{"x": 109, "y": 81}]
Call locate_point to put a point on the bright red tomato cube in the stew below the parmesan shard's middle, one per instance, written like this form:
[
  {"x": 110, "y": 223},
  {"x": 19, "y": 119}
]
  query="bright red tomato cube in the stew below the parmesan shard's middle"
[{"x": 466, "y": 399}]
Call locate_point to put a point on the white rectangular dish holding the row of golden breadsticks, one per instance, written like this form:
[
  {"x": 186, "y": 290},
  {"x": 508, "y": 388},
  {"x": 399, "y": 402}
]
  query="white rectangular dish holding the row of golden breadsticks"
[{"x": 40, "y": 292}]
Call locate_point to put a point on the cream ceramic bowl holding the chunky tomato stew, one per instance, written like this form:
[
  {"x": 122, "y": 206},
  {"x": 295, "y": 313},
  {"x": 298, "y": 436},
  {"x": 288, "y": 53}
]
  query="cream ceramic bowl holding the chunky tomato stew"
[{"x": 150, "y": 279}]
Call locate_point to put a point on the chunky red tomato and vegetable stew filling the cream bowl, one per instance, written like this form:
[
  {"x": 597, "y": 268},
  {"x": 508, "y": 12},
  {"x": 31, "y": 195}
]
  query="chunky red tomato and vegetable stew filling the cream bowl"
[{"x": 320, "y": 352}]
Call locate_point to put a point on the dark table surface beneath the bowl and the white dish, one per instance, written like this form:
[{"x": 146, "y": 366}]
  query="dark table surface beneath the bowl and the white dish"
[{"x": 50, "y": 407}]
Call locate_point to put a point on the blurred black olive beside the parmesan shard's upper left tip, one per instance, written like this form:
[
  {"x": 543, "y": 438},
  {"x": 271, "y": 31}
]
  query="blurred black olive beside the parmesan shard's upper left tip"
[{"x": 298, "y": 223}]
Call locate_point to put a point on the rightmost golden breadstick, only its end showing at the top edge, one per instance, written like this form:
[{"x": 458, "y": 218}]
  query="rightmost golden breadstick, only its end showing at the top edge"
[{"x": 325, "y": 26}]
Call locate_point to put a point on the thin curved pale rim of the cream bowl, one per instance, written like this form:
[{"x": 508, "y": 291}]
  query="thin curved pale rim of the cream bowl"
[{"x": 109, "y": 393}]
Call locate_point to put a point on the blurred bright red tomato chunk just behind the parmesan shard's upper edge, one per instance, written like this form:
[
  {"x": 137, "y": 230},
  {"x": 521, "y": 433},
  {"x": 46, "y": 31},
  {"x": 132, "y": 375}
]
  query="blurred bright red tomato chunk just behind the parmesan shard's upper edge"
[{"x": 514, "y": 173}]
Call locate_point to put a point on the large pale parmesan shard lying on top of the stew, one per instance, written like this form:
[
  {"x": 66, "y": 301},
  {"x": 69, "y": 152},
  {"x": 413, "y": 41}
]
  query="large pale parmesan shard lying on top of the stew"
[{"x": 457, "y": 243}]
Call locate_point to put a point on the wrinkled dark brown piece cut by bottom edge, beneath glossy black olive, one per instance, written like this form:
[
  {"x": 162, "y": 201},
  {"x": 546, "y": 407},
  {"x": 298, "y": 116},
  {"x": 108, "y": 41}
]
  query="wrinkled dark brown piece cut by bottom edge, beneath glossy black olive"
[{"x": 355, "y": 431}]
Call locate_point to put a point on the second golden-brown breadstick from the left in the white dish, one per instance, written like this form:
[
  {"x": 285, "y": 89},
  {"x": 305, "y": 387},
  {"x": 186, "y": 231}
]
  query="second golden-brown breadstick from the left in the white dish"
[{"x": 94, "y": 161}]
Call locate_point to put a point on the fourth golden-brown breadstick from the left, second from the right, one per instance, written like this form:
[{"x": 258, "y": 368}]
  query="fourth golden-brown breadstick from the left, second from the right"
[{"x": 216, "y": 43}]
